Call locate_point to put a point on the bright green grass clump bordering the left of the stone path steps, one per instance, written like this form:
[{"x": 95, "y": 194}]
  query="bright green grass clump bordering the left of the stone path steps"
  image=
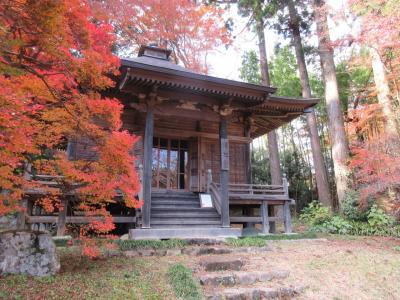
[{"x": 182, "y": 282}]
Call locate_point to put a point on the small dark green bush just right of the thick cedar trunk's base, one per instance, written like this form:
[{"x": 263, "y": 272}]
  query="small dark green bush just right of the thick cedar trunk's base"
[{"x": 351, "y": 209}]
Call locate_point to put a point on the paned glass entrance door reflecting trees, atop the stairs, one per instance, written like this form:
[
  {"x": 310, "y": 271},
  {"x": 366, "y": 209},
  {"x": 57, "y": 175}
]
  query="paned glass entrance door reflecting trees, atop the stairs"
[{"x": 169, "y": 164}]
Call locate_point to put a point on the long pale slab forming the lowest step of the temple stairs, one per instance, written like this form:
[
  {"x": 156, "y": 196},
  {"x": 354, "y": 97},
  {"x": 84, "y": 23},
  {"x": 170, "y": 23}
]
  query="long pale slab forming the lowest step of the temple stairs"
[{"x": 186, "y": 232}]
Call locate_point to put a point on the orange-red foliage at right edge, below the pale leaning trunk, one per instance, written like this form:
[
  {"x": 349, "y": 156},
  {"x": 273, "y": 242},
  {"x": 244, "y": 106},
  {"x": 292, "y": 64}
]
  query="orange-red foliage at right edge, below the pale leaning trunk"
[{"x": 375, "y": 159}]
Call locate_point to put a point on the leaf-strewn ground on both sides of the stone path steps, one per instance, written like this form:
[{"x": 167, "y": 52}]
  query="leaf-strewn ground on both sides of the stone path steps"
[{"x": 328, "y": 268}]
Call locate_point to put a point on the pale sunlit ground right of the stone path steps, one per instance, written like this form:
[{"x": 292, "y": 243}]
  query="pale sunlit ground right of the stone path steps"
[{"x": 362, "y": 268}]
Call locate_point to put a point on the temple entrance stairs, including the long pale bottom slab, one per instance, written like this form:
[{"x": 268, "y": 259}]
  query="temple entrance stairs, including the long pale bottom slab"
[{"x": 177, "y": 214}]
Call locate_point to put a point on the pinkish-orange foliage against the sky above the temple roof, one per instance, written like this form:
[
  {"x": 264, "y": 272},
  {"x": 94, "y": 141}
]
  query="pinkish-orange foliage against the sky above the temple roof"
[{"x": 190, "y": 29}]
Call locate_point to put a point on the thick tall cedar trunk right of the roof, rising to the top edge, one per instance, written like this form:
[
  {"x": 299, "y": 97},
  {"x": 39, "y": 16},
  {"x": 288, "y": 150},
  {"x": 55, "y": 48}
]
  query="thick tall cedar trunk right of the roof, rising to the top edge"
[{"x": 340, "y": 150}]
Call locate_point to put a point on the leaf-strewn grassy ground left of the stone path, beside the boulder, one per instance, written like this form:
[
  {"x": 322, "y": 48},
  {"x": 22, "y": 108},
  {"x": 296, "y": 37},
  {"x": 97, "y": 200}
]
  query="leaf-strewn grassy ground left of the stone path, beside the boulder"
[{"x": 103, "y": 279}]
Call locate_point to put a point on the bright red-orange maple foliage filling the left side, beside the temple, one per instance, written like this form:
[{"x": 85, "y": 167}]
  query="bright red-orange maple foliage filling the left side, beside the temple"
[{"x": 55, "y": 59}]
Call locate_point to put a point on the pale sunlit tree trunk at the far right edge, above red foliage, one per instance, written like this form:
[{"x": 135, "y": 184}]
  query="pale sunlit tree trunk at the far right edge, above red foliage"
[{"x": 383, "y": 93}]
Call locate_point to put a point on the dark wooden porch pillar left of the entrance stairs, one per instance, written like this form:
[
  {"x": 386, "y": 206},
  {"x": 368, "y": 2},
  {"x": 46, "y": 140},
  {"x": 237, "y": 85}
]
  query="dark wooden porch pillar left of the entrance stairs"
[{"x": 147, "y": 162}]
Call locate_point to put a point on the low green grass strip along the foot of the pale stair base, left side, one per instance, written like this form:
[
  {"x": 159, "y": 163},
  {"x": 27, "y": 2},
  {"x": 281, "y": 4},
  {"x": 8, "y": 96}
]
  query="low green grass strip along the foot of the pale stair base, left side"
[{"x": 150, "y": 244}]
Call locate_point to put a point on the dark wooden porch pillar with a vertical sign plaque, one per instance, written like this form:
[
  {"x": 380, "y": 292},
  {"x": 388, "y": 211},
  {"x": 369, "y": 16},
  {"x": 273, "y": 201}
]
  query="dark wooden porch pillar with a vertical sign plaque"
[{"x": 224, "y": 173}]
